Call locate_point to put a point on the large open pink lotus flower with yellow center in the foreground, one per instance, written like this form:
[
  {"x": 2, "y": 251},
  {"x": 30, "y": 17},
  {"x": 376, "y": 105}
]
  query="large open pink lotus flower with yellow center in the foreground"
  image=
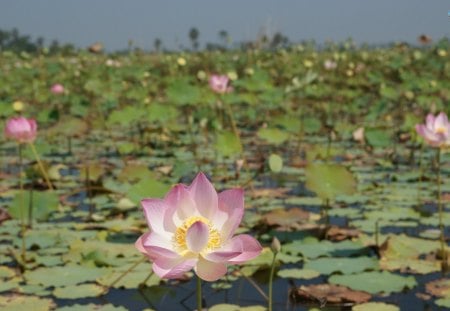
[{"x": 192, "y": 228}]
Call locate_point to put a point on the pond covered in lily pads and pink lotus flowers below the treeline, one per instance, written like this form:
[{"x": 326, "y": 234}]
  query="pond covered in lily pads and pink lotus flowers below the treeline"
[{"x": 346, "y": 186}]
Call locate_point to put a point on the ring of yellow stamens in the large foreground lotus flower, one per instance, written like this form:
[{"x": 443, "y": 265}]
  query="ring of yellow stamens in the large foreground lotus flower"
[{"x": 180, "y": 234}]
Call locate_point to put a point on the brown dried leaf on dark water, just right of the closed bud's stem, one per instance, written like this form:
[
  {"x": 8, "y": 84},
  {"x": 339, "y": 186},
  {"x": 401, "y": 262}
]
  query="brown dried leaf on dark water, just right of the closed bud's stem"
[{"x": 328, "y": 294}]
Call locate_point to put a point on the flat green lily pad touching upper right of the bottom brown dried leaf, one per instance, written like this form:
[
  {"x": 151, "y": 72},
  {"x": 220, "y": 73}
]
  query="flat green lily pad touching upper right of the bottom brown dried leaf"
[{"x": 375, "y": 282}]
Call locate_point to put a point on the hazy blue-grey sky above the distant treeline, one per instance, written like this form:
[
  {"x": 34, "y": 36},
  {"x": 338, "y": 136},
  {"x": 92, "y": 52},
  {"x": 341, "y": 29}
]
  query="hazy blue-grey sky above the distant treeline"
[{"x": 115, "y": 22}]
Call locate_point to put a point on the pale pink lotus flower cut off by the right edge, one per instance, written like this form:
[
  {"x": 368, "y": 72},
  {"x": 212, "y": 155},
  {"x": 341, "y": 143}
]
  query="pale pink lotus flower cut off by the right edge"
[{"x": 436, "y": 130}]
